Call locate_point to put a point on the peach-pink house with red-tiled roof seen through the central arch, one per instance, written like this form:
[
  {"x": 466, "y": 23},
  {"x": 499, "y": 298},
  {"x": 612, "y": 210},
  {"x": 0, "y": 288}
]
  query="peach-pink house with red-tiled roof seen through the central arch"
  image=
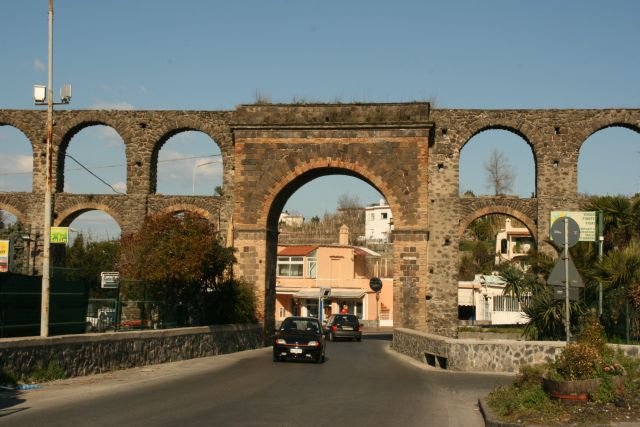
[{"x": 304, "y": 272}]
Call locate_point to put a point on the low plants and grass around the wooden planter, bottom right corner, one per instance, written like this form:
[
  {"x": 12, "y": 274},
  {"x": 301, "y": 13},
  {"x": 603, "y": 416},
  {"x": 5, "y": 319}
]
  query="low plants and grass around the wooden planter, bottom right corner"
[{"x": 530, "y": 399}]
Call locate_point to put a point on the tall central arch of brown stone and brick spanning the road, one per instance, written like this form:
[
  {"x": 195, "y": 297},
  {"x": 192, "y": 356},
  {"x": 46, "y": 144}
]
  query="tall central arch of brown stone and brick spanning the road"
[{"x": 272, "y": 162}]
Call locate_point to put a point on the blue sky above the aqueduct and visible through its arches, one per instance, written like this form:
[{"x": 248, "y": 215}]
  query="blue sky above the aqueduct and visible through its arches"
[{"x": 214, "y": 55}]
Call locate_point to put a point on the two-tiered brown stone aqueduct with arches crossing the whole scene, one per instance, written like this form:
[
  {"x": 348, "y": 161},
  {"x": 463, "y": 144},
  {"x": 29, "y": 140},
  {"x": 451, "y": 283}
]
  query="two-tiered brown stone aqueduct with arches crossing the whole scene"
[{"x": 407, "y": 151}]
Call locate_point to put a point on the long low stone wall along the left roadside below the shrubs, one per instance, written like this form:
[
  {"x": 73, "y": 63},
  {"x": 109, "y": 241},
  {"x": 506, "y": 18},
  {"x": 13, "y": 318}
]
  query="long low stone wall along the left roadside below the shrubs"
[{"x": 94, "y": 353}]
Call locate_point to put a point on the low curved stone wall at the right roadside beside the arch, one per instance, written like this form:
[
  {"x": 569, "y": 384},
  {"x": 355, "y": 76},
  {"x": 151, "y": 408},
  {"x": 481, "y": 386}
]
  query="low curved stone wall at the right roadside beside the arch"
[{"x": 471, "y": 355}]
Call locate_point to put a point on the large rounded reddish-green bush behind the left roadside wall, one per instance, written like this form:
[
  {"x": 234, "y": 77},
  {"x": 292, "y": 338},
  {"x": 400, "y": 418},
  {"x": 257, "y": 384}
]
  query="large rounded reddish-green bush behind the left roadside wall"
[{"x": 177, "y": 271}]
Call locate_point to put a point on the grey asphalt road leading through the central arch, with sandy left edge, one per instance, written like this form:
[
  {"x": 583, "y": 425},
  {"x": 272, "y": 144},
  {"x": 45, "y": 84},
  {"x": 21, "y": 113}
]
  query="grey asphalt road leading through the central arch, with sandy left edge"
[{"x": 360, "y": 384}]
